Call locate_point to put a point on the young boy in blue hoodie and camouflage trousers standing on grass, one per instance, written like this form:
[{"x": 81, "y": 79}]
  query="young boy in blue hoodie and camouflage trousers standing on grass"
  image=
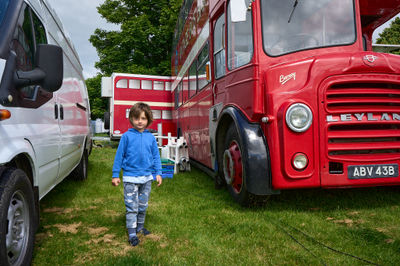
[{"x": 138, "y": 156}]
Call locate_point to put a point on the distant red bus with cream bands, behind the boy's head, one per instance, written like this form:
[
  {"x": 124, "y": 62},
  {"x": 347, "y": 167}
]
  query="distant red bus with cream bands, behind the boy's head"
[{"x": 124, "y": 90}]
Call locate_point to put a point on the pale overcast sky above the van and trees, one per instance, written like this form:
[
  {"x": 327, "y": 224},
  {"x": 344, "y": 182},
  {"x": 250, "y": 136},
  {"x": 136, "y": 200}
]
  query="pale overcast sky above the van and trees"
[{"x": 80, "y": 19}]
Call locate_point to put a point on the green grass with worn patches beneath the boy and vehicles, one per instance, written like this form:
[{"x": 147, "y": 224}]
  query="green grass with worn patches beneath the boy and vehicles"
[{"x": 194, "y": 224}]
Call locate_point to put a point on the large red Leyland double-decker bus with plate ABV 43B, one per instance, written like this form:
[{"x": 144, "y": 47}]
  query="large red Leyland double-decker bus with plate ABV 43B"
[{"x": 274, "y": 95}]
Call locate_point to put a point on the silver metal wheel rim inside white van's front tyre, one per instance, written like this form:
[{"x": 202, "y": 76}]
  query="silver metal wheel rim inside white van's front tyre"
[{"x": 18, "y": 228}]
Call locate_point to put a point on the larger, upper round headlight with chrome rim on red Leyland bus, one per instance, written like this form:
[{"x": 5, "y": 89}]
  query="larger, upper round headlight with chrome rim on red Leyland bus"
[{"x": 298, "y": 117}]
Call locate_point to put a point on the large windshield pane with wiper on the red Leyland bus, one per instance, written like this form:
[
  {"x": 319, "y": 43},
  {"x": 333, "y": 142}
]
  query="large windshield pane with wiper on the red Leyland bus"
[{"x": 295, "y": 25}]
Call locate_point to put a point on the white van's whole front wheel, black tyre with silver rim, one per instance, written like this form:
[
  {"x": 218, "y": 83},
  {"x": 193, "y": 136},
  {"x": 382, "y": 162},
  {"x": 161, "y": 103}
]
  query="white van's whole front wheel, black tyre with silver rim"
[{"x": 16, "y": 218}]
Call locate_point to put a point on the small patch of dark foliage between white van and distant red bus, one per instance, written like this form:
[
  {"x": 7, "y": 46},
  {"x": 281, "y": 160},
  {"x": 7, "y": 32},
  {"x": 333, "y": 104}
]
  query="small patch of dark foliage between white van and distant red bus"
[{"x": 98, "y": 105}]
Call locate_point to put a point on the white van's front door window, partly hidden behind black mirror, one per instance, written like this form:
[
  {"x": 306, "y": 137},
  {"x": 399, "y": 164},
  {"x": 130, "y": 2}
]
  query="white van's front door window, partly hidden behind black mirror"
[{"x": 29, "y": 32}]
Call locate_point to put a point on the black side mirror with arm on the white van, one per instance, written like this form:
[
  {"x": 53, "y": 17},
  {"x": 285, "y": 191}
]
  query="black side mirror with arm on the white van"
[{"x": 48, "y": 71}]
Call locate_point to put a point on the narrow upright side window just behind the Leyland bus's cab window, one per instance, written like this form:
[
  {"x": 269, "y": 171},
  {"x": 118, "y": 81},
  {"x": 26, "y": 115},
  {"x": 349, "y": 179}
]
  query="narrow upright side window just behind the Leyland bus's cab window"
[{"x": 219, "y": 47}]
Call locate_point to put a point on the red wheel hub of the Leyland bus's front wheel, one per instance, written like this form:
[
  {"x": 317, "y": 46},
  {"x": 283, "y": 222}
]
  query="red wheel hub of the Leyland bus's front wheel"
[{"x": 233, "y": 167}]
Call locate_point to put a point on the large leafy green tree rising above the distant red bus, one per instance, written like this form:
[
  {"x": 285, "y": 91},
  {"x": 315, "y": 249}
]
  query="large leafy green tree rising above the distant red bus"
[{"x": 143, "y": 43}]
